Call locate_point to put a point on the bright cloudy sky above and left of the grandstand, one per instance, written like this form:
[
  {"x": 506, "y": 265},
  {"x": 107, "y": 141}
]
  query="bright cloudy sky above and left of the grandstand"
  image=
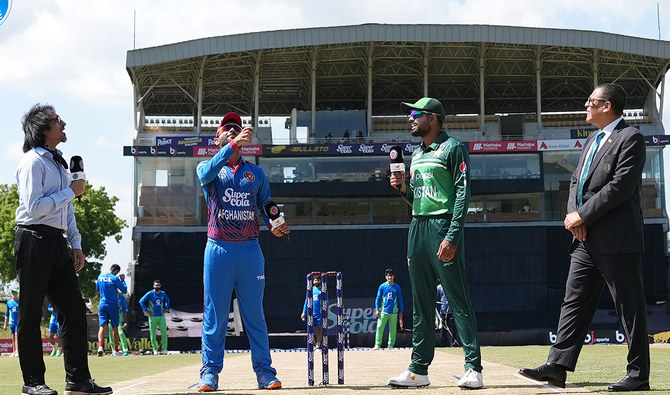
[{"x": 72, "y": 55}]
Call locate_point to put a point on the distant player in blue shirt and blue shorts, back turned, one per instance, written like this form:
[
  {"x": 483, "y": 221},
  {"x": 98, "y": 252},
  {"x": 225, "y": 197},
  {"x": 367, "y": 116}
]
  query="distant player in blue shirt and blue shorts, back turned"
[{"x": 108, "y": 286}]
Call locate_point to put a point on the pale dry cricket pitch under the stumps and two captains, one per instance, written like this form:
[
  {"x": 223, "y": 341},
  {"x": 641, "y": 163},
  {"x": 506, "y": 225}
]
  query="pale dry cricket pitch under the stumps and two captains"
[{"x": 365, "y": 371}]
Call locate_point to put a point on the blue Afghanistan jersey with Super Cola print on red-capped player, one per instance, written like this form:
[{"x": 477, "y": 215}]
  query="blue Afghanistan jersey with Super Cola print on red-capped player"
[{"x": 233, "y": 196}]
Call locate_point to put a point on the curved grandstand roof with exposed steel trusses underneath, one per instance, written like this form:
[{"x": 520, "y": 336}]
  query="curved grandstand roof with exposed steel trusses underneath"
[{"x": 375, "y": 67}]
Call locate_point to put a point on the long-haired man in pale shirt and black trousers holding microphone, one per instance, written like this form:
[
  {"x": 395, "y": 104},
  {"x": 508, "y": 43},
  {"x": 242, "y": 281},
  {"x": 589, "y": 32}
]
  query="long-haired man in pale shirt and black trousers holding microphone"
[{"x": 45, "y": 232}]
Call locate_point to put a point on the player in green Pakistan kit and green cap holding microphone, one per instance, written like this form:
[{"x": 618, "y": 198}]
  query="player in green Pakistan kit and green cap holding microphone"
[{"x": 439, "y": 192}]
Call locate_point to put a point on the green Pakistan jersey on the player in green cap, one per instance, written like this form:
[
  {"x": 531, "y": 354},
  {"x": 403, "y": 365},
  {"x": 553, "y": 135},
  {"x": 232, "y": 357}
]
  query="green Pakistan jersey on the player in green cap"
[{"x": 440, "y": 182}]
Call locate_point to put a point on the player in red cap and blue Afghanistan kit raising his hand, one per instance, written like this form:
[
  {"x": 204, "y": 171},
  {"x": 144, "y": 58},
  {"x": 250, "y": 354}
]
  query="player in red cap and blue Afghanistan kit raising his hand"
[{"x": 234, "y": 190}]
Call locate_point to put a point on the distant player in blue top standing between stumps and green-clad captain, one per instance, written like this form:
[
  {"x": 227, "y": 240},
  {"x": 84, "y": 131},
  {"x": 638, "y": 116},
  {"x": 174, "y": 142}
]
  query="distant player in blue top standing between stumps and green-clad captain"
[{"x": 388, "y": 308}]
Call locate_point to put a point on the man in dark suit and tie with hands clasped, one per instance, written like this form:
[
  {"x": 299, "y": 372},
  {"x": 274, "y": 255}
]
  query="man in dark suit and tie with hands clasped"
[{"x": 605, "y": 218}]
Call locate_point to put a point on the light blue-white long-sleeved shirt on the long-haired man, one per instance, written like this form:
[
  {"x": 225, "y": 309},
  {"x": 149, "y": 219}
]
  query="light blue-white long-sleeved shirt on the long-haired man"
[{"x": 45, "y": 196}]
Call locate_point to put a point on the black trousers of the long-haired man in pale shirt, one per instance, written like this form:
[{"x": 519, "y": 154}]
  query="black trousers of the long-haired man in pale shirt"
[{"x": 45, "y": 267}]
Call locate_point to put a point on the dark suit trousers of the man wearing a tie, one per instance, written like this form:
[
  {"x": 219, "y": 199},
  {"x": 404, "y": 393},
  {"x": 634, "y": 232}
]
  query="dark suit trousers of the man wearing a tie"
[{"x": 589, "y": 273}]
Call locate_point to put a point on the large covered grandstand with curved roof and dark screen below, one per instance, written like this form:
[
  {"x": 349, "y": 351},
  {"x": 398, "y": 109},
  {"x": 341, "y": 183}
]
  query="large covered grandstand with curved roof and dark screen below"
[{"x": 515, "y": 95}]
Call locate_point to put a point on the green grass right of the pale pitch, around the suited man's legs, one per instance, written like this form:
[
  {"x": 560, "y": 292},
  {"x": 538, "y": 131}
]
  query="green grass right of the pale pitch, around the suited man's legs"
[{"x": 598, "y": 366}]
